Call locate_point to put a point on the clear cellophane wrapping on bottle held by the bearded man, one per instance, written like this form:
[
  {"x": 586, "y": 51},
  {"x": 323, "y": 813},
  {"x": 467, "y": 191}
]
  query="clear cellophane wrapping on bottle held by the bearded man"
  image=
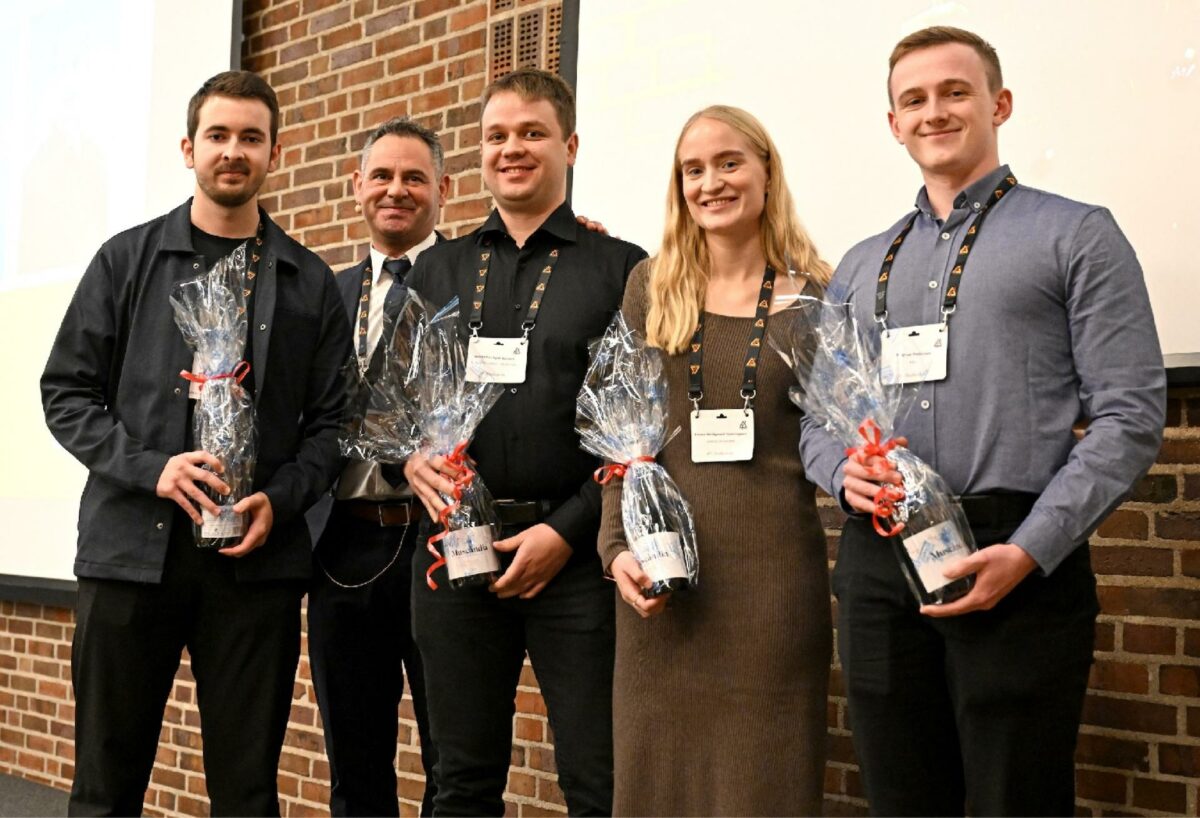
[{"x": 211, "y": 312}]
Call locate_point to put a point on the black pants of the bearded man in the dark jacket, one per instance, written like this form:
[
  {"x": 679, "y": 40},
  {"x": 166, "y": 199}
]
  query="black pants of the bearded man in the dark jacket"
[{"x": 244, "y": 642}]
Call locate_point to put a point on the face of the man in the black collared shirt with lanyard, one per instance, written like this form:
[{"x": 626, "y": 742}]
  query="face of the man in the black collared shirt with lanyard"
[{"x": 525, "y": 154}]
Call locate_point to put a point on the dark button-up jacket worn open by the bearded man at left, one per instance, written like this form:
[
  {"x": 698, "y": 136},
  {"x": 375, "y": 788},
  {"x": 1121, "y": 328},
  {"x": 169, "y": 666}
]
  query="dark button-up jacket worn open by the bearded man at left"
[{"x": 113, "y": 396}]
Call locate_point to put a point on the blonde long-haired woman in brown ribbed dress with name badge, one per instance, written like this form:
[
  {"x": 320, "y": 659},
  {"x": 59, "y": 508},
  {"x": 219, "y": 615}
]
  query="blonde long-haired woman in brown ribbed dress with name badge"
[{"x": 719, "y": 696}]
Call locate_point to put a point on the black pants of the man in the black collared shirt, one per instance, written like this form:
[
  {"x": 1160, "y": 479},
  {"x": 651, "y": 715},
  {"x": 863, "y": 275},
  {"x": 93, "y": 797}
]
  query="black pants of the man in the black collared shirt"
[{"x": 475, "y": 646}]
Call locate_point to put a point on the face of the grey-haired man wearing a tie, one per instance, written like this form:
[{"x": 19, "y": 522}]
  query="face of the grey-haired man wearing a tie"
[{"x": 400, "y": 194}]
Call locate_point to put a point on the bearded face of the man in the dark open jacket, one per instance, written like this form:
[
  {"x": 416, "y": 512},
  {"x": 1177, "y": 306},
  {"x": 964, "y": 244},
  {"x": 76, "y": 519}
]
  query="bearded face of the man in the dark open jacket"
[{"x": 232, "y": 152}]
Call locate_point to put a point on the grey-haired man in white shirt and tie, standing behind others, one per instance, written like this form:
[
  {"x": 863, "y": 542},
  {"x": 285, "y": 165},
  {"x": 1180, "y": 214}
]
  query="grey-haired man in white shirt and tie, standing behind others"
[{"x": 361, "y": 639}]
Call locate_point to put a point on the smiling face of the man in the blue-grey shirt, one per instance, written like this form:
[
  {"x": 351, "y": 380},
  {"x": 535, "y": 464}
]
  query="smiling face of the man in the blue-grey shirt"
[{"x": 944, "y": 113}]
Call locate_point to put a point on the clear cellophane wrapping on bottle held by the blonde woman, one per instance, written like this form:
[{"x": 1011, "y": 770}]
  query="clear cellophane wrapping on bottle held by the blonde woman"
[{"x": 622, "y": 418}]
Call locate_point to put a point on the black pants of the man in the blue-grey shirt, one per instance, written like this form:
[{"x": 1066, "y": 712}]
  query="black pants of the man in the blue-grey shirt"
[{"x": 977, "y": 713}]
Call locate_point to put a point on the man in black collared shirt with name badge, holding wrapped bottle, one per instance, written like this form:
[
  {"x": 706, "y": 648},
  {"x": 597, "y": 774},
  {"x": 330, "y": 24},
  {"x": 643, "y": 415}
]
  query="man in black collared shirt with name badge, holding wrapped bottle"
[{"x": 551, "y": 598}]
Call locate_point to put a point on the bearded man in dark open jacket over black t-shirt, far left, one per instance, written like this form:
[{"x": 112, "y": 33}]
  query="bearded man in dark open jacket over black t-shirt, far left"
[{"x": 115, "y": 399}]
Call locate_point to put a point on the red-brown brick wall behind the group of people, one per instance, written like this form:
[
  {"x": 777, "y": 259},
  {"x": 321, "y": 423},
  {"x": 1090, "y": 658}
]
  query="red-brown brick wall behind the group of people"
[{"x": 340, "y": 68}]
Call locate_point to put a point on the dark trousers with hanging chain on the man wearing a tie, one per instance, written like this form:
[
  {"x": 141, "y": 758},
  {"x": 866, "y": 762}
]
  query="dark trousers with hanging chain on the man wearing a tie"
[{"x": 361, "y": 645}]
